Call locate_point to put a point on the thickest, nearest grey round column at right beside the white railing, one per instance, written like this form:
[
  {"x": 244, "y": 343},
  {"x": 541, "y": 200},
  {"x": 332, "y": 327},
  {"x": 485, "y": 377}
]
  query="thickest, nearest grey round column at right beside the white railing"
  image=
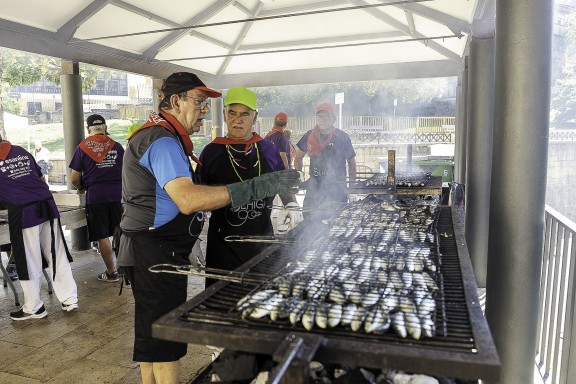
[{"x": 519, "y": 162}]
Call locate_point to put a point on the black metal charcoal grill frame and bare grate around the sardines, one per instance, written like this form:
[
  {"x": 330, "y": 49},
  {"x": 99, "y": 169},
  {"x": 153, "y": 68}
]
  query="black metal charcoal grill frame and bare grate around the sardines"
[{"x": 462, "y": 347}]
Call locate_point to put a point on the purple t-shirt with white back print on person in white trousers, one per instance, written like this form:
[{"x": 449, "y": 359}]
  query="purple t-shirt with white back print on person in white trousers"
[{"x": 21, "y": 185}]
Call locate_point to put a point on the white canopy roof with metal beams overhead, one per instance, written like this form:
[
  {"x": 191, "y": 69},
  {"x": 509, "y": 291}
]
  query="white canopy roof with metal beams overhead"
[{"x": 252, "y": 42}]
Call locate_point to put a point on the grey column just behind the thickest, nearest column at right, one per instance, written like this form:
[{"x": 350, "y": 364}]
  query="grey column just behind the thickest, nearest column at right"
[{"x": 479, "y": 152}]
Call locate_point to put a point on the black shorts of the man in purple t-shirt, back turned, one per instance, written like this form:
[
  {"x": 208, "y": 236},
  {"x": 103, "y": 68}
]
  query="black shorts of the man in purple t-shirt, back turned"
[{"x": 102, "y": 219}]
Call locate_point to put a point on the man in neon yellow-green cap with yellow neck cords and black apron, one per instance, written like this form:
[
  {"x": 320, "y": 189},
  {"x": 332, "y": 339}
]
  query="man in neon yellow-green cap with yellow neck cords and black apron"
[{"x": 239, "y": 156}]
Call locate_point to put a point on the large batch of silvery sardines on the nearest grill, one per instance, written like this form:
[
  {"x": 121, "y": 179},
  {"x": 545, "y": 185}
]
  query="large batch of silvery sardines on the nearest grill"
[{"x": 377, "y": 278}]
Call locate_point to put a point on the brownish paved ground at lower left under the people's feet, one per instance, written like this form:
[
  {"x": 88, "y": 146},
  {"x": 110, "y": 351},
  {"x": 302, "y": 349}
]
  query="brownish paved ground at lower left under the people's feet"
[{"x": 90, "y": 345}]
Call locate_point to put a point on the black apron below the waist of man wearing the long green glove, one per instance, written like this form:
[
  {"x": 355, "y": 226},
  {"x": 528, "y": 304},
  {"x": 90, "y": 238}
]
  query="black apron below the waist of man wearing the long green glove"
[{"x": 155, "y": 294}]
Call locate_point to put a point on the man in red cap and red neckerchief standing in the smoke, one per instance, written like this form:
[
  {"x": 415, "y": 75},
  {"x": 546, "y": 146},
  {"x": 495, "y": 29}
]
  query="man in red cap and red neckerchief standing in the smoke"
[{"x": 329, "y": 149}]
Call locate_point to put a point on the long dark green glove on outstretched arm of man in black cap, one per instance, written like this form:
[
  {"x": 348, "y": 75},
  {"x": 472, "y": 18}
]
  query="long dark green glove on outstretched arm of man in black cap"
[{"x": 267, "y": 185}]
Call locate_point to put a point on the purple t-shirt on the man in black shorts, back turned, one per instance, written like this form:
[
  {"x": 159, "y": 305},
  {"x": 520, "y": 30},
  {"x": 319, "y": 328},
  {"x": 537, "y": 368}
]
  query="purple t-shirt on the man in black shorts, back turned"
[{"x": 103, "y": 181}]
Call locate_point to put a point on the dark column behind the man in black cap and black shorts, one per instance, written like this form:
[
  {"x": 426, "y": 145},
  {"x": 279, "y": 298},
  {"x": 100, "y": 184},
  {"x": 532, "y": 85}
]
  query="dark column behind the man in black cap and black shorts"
[{"x": 73, "y": 122}]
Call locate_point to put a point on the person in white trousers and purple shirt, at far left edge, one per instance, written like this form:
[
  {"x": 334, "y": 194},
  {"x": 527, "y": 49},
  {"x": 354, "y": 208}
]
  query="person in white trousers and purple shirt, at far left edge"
[{"x": 35, "y": 233}]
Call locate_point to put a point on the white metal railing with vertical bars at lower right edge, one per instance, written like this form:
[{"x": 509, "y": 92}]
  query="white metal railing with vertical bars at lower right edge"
[{"x": 556, "y": 338}]
